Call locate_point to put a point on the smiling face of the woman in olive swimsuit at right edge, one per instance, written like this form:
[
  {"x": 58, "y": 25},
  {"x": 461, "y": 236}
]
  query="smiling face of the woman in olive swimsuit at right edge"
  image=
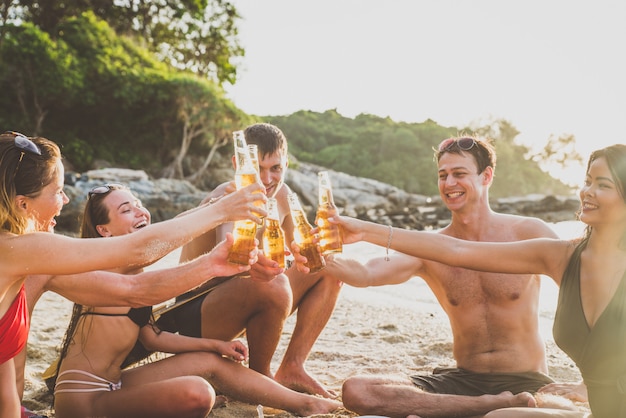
[{"x": 601, "y": 200}]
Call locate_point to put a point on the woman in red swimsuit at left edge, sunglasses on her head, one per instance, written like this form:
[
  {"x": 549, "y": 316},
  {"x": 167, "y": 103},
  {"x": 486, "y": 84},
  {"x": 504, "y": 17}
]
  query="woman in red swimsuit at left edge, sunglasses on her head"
[{"x": 31, "y": 195}]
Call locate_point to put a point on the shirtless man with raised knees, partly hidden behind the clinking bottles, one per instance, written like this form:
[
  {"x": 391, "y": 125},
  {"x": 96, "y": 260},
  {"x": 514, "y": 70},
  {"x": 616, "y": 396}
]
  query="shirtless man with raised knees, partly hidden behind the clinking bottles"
[{"x": 260, "y": 304}]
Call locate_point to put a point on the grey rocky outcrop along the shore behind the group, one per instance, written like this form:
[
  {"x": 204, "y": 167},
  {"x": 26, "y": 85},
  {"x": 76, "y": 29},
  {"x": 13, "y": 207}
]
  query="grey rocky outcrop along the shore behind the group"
[{"x": 354, "y": 196}]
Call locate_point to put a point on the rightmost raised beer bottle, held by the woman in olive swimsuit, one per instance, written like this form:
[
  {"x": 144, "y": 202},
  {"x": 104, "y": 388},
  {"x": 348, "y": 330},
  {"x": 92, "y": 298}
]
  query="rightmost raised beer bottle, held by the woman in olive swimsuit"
[{"x": 329, "y": 233}]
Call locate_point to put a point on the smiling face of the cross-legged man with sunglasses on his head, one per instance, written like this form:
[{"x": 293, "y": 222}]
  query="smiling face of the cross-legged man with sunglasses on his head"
[{"x": 459, "y": 182}]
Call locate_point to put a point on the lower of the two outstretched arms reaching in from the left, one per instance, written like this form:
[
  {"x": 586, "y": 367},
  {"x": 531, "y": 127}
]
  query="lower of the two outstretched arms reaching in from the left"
[{"x": 102, "y": 288}]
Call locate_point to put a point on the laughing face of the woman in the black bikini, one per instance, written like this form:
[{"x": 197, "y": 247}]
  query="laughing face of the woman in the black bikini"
[{"x": 125, "y": 212}]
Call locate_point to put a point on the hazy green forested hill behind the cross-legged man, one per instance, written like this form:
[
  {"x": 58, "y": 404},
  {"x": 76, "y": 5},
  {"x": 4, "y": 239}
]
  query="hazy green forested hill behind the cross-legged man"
[{"x": 401, "y": 153}]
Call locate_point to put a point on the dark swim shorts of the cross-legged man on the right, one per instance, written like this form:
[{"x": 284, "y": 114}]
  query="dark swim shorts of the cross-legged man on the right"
[{"x": 463, "y": 382}]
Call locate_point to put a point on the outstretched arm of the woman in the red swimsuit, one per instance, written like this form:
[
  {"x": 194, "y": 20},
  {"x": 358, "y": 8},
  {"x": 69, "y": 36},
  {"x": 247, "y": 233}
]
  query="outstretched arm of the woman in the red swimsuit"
[{"x": 45, "y": 253}]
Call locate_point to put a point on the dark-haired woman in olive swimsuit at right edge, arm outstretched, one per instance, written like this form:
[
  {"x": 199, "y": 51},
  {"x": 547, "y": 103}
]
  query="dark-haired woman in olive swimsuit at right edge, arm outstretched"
[{"x": 590, "y": 319}]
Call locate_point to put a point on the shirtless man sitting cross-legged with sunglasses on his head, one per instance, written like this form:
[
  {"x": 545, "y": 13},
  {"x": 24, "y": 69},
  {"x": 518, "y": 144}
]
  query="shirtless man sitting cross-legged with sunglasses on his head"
[{"x": 499, "y": 352}]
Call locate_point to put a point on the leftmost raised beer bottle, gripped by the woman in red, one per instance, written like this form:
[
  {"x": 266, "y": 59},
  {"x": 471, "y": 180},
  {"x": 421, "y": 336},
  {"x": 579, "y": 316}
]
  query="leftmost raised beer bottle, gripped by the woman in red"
[{"x": 244, "y": 231}]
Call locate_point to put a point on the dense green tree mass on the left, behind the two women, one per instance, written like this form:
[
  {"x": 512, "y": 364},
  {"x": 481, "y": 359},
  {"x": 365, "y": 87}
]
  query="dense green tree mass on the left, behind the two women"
[{"x": 102, "y": 97}]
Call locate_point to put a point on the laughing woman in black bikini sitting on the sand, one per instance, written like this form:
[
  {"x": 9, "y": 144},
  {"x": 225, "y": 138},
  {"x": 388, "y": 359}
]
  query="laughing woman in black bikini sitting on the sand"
[{"x": 91, "y": 381}]
